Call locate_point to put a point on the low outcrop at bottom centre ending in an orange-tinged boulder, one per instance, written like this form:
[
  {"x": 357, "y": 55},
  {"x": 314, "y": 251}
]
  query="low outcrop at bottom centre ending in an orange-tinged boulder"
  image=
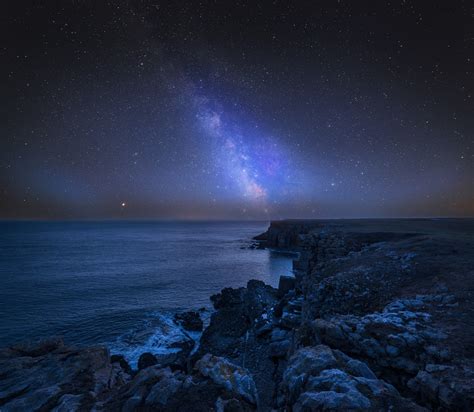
[{"x": 213, "y": 384}]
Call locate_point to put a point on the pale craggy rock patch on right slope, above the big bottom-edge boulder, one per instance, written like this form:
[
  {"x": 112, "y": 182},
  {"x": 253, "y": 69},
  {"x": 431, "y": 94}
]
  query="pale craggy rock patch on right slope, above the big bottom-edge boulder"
[{"x": 399, "y": 337}]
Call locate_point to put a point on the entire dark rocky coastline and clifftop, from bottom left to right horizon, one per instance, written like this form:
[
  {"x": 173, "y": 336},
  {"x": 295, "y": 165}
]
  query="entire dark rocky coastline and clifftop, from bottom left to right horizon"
[{"x": 379, "y": 316}]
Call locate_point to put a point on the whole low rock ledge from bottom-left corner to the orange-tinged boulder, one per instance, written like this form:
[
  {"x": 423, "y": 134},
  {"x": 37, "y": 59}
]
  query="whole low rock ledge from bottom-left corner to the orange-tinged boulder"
[{"x": 51, "y": 376}]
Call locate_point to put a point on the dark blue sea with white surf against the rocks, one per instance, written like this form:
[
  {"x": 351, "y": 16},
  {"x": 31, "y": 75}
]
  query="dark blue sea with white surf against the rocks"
[{"x": 118, "y": 283}]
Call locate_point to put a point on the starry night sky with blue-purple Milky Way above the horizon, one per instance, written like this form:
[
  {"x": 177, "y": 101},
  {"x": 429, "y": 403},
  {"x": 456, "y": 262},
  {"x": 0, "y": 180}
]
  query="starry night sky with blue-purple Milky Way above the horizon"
[{"x": 236, "y": 110}]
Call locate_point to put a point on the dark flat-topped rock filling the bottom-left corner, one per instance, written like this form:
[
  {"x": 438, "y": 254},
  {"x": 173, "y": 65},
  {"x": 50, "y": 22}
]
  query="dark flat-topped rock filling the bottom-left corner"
[{"x": 50, "y": 375}]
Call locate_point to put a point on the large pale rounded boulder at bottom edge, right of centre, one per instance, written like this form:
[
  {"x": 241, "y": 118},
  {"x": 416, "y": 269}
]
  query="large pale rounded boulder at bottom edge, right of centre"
[{"x": 319, "y": 379}]
